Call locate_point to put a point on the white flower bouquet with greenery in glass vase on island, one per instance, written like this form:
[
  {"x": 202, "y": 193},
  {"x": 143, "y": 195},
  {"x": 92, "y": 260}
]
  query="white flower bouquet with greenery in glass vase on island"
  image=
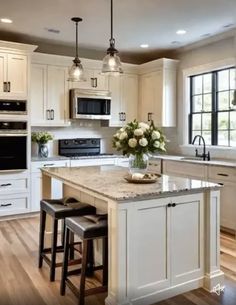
[{"x": 138, "y": 139}]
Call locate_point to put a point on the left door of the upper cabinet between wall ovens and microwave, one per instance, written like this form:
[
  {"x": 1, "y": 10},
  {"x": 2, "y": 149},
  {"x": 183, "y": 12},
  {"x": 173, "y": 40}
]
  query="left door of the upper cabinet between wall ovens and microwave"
[{"x": 38, "y": 93}]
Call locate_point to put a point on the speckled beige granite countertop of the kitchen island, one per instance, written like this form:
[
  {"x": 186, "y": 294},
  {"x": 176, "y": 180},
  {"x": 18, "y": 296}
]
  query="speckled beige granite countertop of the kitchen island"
[{"x": 109, "y": 182}]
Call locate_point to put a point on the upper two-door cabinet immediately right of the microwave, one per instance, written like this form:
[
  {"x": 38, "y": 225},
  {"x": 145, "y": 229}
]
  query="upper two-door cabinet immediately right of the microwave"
[{"x": 124, "y": 99}]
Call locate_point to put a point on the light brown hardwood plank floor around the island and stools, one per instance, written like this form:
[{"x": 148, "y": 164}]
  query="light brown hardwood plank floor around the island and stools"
[{"x": 22, "y": 283}]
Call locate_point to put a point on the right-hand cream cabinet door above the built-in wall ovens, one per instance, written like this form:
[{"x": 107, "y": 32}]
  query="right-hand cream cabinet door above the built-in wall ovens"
[{"x": 17, "y": 75}]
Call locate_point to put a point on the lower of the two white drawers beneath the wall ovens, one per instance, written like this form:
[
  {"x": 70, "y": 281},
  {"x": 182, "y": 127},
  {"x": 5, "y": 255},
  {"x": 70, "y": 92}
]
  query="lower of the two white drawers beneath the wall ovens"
[{"x": 11, "y": 205}]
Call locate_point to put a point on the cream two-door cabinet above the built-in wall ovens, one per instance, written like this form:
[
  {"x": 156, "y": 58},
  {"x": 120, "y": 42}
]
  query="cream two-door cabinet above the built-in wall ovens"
[{"x": 13, "y": 75}]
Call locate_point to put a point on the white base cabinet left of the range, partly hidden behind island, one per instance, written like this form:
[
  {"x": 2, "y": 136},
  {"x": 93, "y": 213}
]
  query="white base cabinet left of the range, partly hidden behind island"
[{"x": 36, "y": 182}]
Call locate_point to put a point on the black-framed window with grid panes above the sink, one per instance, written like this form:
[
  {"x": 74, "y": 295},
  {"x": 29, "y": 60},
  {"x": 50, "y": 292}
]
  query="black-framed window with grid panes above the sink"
[{"x": 213, "y": 107}]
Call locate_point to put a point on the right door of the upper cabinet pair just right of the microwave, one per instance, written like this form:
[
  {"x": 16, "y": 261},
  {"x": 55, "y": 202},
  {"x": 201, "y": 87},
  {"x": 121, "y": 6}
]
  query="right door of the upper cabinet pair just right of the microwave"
[{"x": 129, "y": 96}]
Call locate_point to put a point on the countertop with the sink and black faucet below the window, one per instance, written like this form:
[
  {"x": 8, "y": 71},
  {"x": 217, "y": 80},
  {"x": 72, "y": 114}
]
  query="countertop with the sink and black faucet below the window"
[{"x": 218, "y": 162}]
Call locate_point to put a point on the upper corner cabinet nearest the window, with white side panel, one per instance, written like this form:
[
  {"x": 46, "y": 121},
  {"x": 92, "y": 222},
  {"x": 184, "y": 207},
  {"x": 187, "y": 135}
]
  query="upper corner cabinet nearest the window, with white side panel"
[{"x": 157, "y": 92}]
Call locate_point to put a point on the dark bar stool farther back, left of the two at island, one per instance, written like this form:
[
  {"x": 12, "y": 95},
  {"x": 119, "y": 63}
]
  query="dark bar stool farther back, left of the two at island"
[{"x": 58, "y": 211}]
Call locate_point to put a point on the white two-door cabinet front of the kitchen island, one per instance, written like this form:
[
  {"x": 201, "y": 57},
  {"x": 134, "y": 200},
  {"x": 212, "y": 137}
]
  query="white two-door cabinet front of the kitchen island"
[{"x": 172, "y": 240}]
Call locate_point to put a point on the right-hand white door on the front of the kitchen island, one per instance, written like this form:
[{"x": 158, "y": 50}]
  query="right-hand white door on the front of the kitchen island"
[{"x": 187, "y": 238}]
